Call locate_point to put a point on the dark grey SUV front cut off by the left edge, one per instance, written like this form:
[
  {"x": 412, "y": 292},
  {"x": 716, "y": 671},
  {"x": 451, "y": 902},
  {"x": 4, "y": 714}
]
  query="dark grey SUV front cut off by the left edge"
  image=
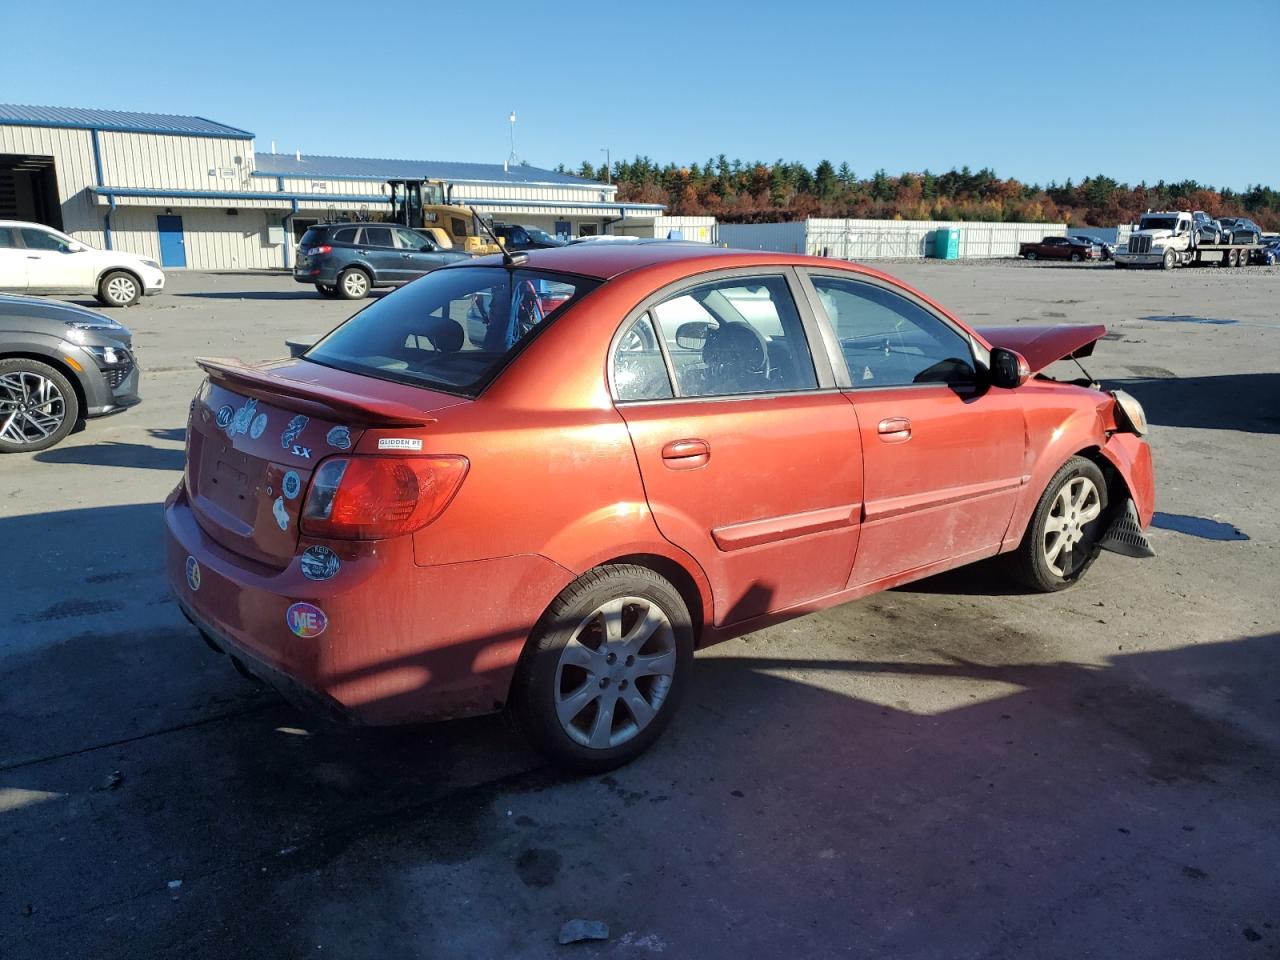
[{"x": 60, "y": 365}]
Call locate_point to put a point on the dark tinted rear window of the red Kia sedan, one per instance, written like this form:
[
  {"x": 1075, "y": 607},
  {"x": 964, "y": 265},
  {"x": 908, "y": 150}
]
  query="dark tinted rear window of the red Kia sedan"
[{"x": 454, "y": 330}]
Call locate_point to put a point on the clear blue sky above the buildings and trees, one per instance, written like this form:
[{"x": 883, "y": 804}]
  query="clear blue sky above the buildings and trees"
[{"x": 1035, "y": 90}]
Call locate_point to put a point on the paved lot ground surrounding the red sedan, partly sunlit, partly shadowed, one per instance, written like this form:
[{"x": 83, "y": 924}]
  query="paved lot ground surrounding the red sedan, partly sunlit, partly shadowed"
[{"x": 948, "y": 770}]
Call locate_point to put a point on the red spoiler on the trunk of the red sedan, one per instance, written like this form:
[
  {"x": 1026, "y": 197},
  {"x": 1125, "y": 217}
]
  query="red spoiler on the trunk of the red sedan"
[{"x": 310, "y": 399}]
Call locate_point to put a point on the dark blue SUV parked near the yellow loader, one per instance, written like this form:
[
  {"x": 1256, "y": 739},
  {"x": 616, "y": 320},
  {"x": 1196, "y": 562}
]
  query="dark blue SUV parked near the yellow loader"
[{"x": 350, "y": 259}]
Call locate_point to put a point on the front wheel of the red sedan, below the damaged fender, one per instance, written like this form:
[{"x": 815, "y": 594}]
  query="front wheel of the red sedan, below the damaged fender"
[{"x": 1063, "y": 538}]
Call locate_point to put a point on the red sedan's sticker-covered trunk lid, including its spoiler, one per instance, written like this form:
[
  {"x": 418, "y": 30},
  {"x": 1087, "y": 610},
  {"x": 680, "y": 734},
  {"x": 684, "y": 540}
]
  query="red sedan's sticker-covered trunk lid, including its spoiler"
[{"x": 258, "y": 433}]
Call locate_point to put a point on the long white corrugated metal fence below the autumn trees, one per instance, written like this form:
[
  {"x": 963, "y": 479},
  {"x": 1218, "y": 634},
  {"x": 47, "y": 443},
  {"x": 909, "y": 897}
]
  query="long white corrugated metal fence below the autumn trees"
[{"x": 876, "y": 240}]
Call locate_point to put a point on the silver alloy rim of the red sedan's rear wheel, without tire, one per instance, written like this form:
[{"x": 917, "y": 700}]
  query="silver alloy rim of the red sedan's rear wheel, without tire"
[{"x": 615, "y": 673}]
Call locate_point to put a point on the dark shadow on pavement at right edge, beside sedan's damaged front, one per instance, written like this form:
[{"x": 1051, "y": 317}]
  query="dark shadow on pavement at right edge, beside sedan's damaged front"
[{"x": 1247, "y": 403}]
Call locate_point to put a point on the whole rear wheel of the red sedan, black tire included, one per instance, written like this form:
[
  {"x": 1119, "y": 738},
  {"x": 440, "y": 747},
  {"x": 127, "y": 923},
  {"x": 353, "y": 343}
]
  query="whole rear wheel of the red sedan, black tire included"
[{"x": 605, "y": 670}]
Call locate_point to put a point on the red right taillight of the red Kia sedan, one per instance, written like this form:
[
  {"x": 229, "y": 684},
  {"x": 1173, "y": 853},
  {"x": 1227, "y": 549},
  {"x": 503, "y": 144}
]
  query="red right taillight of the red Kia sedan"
[{"x": 374, "y": 499}]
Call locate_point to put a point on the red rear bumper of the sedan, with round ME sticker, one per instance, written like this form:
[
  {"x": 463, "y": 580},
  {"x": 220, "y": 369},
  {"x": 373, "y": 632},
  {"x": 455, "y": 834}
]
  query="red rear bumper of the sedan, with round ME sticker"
[{"x": 401, "y": 643}]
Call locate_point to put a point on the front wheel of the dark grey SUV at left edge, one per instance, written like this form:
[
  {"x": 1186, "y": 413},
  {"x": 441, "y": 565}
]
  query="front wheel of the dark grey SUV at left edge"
[{"x": 38, "y": 406}]
